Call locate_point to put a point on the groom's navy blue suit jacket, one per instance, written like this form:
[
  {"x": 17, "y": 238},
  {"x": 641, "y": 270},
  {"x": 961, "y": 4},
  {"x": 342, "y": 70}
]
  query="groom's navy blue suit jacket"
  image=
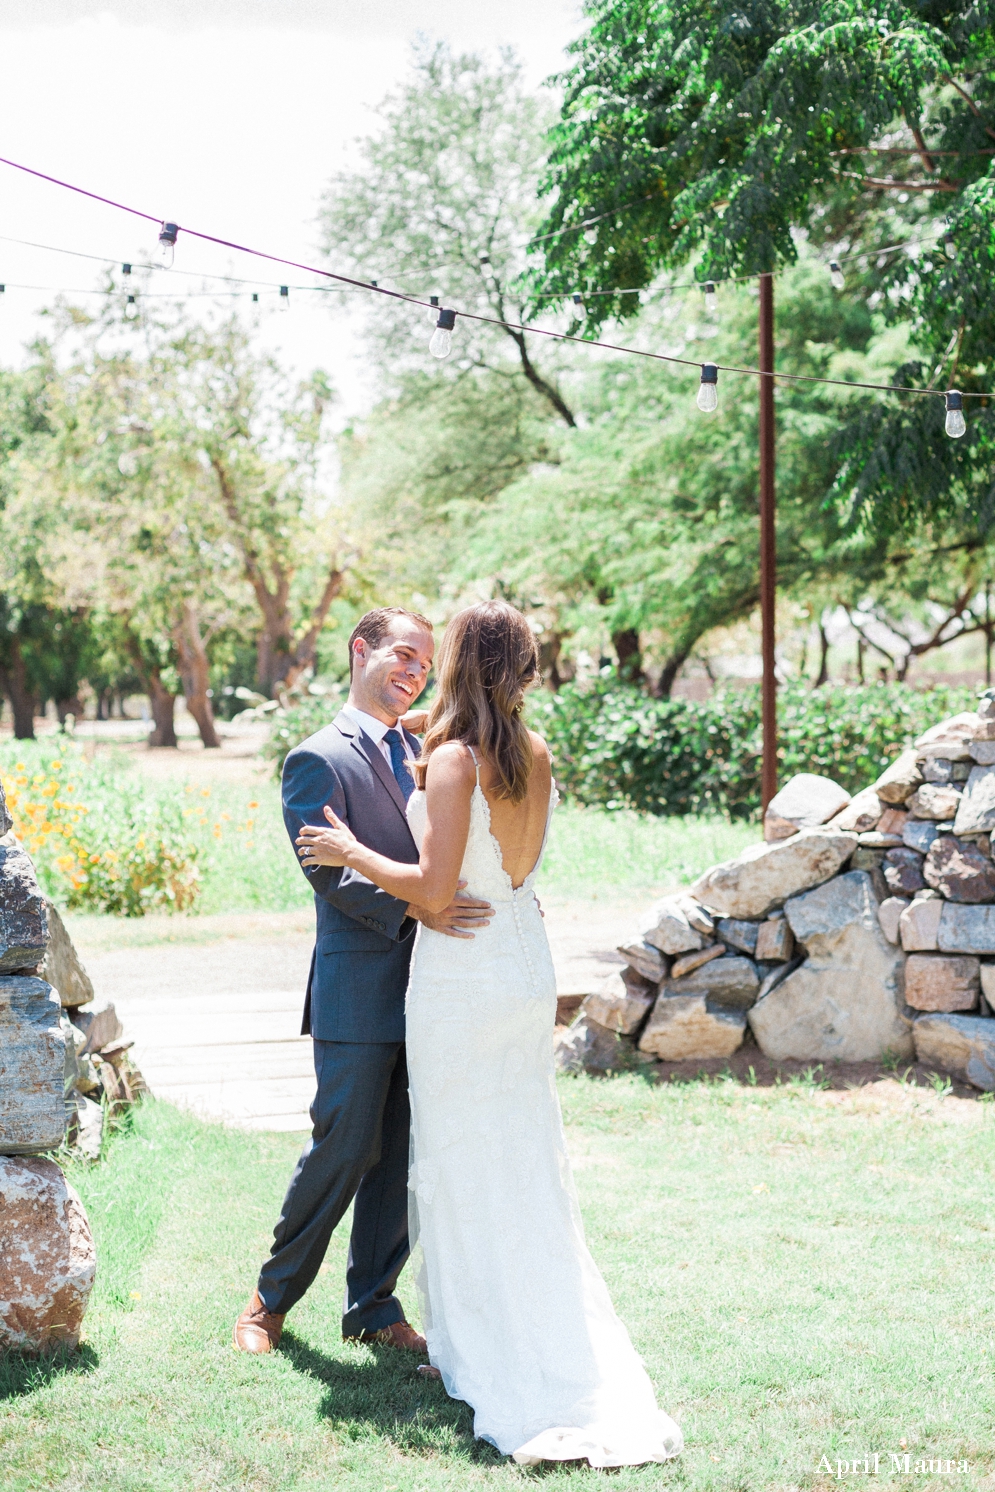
[{"x": 363, "y": 941}]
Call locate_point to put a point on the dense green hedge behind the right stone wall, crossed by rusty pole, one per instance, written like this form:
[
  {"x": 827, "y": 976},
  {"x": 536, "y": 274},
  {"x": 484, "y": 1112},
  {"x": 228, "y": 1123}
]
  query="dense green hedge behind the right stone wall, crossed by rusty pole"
[{"x": 617, "y": 747}]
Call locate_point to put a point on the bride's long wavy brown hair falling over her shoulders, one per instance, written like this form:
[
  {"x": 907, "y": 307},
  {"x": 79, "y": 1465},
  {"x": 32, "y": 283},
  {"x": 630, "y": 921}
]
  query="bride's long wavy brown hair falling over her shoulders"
[{"x": 487, "y": 662}]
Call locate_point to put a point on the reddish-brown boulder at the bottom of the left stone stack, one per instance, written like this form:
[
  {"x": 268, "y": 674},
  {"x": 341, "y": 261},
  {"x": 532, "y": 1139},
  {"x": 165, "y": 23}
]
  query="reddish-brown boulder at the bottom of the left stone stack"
[{"x": 47, "y": 1261}]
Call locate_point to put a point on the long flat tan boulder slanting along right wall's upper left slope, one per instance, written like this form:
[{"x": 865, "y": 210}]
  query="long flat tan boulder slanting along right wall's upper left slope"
[{"x": 766, "y": 875}]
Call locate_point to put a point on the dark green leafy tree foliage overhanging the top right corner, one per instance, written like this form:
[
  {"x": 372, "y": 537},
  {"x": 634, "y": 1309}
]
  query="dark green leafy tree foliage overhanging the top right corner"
[{"x": 726, "y": 135}]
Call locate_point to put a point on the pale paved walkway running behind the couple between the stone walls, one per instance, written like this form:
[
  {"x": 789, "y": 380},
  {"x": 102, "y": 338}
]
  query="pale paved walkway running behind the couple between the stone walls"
[{"x": 216, "y": 1026}]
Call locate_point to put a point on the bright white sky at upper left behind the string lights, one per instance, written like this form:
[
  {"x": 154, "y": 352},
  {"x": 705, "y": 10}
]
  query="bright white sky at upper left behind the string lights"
[{"x": 227, "y": 116}]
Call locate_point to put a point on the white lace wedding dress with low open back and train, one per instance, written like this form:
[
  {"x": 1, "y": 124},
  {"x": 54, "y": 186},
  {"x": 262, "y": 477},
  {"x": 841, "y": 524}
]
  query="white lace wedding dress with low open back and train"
[{"x": 517, "y": 1315}]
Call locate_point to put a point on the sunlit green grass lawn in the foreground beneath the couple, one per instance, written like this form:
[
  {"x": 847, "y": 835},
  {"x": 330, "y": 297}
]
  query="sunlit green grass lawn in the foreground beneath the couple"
[{"x": 806, "y": 1276}]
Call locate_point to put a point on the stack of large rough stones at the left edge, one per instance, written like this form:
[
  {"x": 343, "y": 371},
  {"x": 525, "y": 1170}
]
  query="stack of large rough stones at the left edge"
[{"x": 54, "y": 1059}]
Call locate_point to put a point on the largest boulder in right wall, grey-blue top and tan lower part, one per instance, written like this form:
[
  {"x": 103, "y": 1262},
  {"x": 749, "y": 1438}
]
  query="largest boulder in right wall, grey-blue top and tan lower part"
[{"x": 847, "y": 1000}]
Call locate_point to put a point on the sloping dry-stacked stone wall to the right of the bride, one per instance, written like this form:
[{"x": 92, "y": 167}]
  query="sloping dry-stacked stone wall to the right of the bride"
[{"x": 861, "y": 927}]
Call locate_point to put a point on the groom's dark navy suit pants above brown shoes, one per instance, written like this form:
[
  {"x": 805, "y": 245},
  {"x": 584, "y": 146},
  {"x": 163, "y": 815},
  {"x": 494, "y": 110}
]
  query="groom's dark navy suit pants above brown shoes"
[{"x": 359, "y": 1148}]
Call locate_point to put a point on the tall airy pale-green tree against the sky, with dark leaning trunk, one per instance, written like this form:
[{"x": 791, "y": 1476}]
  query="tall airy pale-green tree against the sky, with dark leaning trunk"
[{"x": 444, "y": 202}]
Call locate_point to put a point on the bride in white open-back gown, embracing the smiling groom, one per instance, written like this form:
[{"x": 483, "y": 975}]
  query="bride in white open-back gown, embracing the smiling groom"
[{"x": 518, "y": 1320}]
